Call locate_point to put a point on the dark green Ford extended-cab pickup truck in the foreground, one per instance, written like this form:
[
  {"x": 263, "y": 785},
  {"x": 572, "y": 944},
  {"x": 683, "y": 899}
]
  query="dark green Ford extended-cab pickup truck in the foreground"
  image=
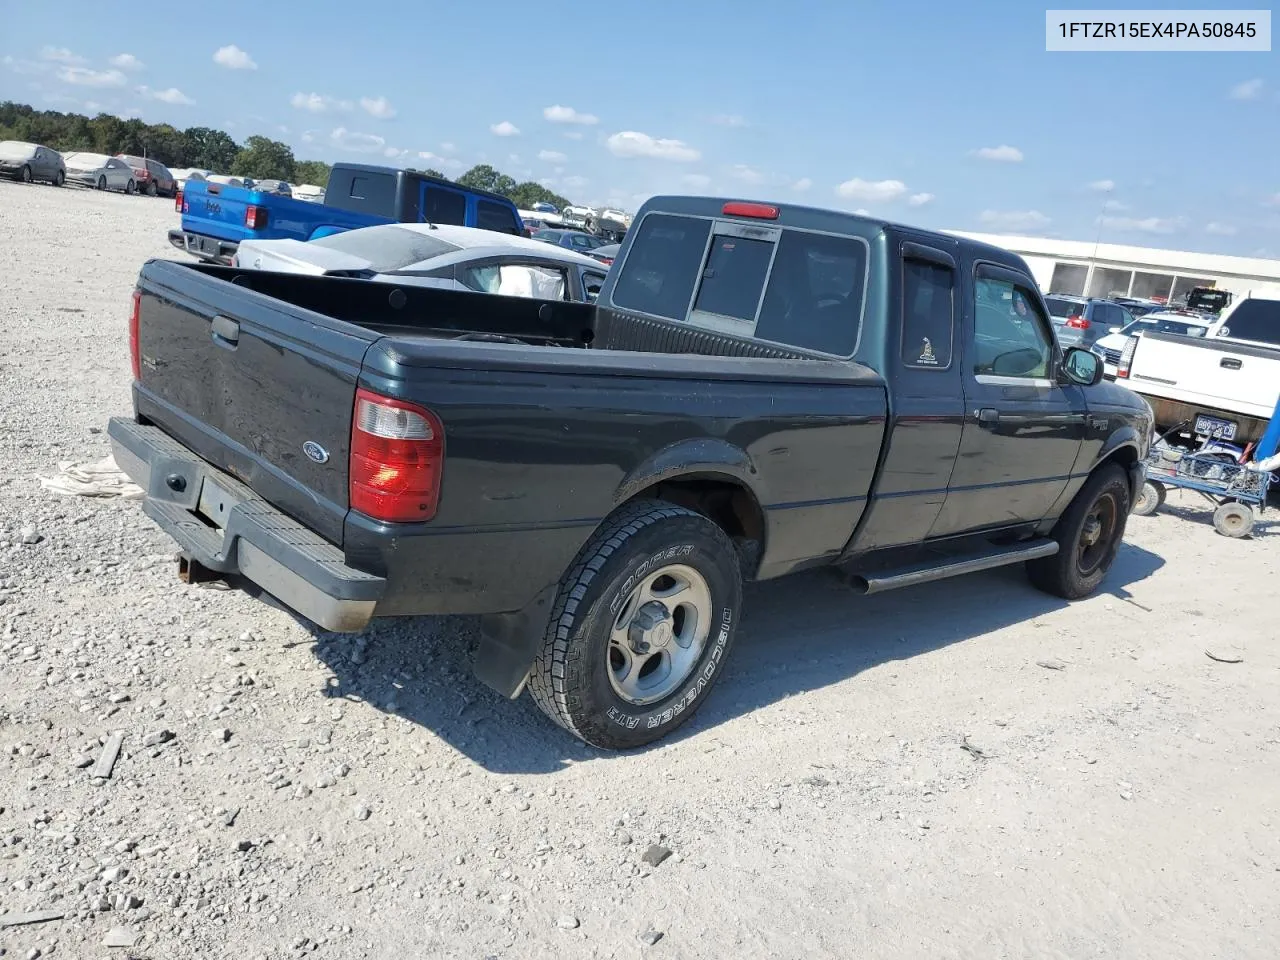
[{"x": 760, "y": 390}]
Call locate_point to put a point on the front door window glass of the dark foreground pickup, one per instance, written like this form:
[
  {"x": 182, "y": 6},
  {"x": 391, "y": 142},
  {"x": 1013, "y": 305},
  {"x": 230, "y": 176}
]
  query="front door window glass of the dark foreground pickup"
[{"x": 1011, "y": 336}]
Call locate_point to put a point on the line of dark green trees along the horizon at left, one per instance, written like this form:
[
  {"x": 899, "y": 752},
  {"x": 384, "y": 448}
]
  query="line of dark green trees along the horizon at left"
[{"x": 260, "y": 158}]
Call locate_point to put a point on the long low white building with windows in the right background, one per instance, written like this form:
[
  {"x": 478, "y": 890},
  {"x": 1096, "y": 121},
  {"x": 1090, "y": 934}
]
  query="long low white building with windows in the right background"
[{"x": 1116, "y": 271}]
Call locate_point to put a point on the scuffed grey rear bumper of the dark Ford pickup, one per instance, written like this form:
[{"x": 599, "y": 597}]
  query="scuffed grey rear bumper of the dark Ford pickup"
[{"x": 223, "y": 525}]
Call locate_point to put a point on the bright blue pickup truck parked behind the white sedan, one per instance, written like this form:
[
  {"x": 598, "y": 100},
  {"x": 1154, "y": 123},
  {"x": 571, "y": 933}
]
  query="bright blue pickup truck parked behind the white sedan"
[{"x": 216, "y": 217}]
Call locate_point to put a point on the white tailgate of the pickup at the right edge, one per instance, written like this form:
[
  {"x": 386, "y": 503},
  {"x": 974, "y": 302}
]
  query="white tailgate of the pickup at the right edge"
[{"x": 1213, "y": 373}]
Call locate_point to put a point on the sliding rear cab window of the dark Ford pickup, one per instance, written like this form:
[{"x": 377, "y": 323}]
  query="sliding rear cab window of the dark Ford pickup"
[{"x": 780, "y": 285}]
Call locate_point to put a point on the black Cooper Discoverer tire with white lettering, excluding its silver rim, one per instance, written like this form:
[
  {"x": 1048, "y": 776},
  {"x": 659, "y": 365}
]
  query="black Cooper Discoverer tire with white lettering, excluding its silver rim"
[{"x": 573, "y": 679}]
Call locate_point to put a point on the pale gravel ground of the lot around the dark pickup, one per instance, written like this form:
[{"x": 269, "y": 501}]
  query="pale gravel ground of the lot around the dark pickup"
[{"x": 286, "y": 794}]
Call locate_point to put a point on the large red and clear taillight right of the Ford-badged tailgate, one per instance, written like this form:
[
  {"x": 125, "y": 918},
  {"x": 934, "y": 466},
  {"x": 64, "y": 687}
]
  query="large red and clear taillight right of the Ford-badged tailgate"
[{"x": 397, "y": 458}]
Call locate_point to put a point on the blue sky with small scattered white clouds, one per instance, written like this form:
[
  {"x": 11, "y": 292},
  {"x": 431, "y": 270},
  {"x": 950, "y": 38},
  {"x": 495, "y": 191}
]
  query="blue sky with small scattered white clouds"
[{"x": 947, "y": 116}]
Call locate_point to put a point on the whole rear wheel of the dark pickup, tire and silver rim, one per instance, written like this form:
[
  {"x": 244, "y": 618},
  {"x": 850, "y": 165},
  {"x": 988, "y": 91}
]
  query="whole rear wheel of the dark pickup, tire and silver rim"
[{"x": 642, "y": 627}]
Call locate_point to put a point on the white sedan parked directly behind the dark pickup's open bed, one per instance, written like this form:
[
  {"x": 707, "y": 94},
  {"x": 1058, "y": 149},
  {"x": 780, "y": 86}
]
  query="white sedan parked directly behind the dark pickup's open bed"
[{"x": 436, "y": 255}]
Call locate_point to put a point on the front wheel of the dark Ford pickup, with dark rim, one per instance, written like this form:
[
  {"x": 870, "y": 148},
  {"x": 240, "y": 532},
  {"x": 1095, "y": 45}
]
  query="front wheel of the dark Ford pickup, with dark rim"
[{"x": 1086, "y": 555}]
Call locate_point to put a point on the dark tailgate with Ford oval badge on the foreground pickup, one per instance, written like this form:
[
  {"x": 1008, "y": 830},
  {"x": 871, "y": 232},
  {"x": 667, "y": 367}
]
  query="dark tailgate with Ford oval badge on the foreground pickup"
[{"x": 254, "y": 386}]
